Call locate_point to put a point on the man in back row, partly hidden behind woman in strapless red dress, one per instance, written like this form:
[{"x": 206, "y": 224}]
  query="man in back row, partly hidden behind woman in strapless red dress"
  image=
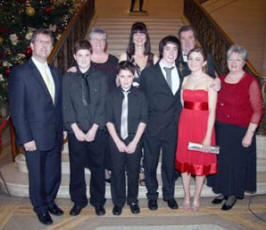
[{"x": 188, "y": 39}]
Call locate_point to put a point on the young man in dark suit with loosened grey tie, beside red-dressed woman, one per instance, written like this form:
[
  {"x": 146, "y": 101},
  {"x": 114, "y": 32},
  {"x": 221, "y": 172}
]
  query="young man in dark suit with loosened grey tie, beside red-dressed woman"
[{"x": 161, "y": 84}]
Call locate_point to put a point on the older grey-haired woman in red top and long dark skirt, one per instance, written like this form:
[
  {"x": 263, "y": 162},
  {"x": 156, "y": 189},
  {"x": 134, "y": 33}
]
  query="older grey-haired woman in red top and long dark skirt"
[{"x": 239, "y": 110}]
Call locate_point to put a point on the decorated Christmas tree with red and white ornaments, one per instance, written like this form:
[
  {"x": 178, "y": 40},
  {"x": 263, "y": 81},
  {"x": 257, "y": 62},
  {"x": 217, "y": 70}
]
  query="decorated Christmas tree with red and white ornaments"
[{"x": 18, "y": 20}]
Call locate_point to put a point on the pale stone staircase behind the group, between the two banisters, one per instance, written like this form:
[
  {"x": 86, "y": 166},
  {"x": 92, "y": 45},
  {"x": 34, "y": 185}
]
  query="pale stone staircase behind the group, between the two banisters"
[{"x": 118, "y": 32}]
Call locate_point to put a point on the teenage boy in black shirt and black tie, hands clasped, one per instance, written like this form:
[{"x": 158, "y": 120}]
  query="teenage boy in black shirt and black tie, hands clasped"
[{"x": 84, "y": 95}]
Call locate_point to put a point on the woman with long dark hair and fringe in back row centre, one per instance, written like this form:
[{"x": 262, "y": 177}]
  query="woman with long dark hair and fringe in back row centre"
[{"x": 139, "y": 53}]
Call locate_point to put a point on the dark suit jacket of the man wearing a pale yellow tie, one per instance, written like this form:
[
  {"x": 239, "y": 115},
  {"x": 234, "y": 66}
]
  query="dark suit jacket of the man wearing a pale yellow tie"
[{"x": 33, "y": 113}]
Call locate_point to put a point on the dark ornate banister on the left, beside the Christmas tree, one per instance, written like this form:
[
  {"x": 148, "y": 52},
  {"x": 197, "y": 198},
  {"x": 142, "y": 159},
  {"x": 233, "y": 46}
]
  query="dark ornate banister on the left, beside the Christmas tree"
[{"x": 61, "y": 55}]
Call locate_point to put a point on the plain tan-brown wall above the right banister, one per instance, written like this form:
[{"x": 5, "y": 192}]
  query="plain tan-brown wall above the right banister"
[{"x": 244, "y": 22}]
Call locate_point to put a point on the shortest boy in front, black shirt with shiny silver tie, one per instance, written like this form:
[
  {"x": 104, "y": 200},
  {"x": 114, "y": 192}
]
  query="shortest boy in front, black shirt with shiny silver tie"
[{"x": 126, "y": 122}]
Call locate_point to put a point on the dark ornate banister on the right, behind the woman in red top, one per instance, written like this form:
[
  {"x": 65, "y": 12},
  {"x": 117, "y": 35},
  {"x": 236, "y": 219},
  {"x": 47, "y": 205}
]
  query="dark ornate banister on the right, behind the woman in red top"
[{"x": 215, "y": 41}]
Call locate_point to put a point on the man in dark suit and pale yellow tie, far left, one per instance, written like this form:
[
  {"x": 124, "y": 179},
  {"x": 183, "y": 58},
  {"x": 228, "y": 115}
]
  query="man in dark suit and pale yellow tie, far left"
[{"x": 35, "y": 99}]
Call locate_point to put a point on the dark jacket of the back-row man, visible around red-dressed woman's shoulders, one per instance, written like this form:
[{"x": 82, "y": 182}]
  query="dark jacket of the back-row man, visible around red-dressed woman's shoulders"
[{"x": 183, "y": 66}]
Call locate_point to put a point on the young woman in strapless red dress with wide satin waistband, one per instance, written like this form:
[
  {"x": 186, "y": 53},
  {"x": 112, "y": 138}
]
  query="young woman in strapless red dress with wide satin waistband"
[{"x": 196, "y": 124}]
